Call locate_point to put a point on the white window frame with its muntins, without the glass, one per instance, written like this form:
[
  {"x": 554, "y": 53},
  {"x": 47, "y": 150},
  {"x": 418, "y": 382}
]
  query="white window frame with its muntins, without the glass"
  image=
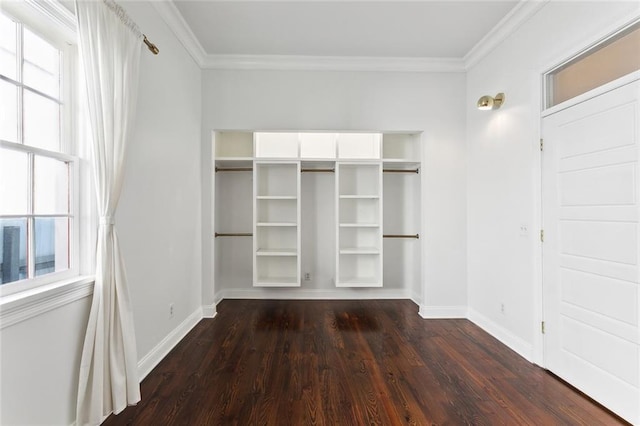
[{"x": 68, "y": 148}]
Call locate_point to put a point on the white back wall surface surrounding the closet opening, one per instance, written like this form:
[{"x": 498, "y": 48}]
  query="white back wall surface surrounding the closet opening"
[{"x": 327, "y": 100}]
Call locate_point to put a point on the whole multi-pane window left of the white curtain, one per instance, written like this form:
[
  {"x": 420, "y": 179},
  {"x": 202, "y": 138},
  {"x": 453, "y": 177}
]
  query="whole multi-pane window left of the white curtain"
[{"x": 37, "y": 172}]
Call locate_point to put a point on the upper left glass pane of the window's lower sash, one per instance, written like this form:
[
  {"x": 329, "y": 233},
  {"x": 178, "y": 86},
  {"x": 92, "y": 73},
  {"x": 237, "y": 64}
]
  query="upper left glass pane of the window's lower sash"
[{"x": 14, "y": 182}]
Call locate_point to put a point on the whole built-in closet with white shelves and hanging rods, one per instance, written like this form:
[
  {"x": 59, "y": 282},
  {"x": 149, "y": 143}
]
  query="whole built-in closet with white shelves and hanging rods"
[{"x": 325, "y": 212}]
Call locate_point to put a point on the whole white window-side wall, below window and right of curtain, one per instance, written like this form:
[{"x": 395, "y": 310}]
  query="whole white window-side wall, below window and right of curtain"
[{"x": 158, "y": 223}]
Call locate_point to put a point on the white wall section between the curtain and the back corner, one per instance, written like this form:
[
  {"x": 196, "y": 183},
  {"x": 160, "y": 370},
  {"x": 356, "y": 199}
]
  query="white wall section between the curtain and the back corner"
[{"x": 158, "y": 216}]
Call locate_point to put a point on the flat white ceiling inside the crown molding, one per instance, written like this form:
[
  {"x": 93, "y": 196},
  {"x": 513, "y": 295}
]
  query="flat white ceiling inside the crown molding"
[{"x": 412, "y": 29}]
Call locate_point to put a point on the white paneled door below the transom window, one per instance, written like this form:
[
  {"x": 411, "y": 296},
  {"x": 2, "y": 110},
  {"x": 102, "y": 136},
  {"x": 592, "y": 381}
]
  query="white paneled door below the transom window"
[{"x": 590, "y": 186}]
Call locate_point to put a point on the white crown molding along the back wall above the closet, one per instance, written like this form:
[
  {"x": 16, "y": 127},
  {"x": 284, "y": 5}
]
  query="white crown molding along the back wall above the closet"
[{"x": 332, "y": 63}]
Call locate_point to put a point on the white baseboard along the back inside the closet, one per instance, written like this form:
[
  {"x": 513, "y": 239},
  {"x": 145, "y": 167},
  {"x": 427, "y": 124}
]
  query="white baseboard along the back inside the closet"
[{"x": 315, "y": 294}]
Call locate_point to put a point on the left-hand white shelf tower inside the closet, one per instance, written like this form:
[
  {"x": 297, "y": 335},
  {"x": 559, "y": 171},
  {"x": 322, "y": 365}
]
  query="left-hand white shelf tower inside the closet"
[{"x": 276, "y": 232}]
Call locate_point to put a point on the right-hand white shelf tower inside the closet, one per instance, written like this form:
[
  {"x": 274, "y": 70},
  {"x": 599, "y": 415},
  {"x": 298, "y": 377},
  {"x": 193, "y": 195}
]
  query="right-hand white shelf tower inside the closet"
[{"x": 359, "y": 224}]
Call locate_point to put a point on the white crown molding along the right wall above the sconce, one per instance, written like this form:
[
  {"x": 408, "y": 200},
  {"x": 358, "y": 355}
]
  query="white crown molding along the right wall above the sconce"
[{"x": 521, "y": 13}]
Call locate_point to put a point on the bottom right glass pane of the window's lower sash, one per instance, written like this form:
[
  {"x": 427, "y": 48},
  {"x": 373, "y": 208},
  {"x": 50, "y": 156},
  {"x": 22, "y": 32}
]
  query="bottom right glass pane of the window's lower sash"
[{"x": 52, "y": 244}]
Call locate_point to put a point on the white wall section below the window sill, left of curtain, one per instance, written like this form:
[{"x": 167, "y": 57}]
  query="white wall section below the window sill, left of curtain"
[{"x": 39, "y": 365}]
